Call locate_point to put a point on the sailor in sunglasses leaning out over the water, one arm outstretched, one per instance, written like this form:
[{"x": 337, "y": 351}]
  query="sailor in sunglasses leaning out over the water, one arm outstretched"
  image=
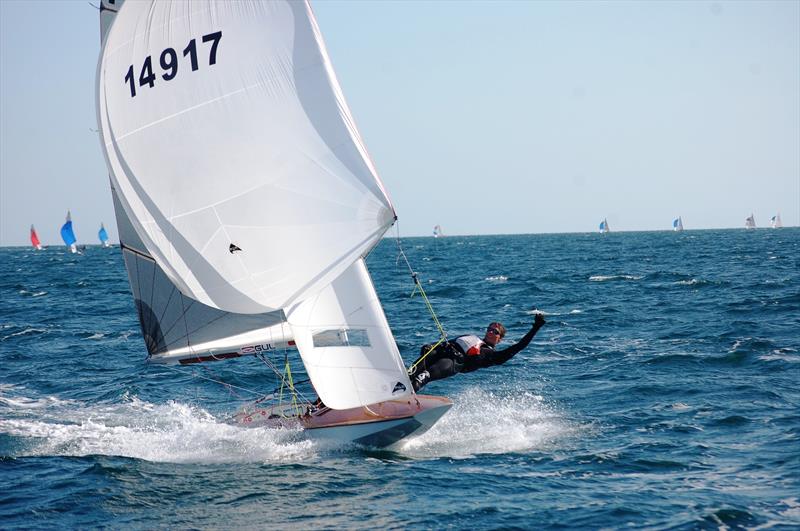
[{"x": 467, "y": 353}]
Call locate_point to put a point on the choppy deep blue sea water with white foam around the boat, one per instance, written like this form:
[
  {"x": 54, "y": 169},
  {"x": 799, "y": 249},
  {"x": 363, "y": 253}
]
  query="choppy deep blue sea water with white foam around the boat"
[{"x": 664, "y": 392}]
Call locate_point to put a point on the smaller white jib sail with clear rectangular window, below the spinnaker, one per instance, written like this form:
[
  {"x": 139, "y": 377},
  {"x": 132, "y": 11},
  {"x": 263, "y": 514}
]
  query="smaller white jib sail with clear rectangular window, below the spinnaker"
[{"x": 346, "y": 344}]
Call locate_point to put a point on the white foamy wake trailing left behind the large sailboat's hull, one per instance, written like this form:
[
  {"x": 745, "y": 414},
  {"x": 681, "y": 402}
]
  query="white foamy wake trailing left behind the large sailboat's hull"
[{"x": 171, "y": 432}]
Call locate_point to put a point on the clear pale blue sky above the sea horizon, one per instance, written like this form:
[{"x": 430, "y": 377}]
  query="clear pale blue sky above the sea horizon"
[{"x": 482, "y": 117}]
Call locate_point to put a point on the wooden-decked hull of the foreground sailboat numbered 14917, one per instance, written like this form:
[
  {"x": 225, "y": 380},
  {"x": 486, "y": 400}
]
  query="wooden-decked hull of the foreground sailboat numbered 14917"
[{"x": 378, "y": 425}]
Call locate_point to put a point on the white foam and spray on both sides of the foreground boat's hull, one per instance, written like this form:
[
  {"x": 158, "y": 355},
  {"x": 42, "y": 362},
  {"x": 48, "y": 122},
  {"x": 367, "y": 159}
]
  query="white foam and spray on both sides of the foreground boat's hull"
[{"x": 479, "y": 423}]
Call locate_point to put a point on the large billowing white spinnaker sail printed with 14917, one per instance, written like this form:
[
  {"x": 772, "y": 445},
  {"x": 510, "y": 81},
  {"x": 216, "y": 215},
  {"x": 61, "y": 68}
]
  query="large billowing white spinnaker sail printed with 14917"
[{"x": 257, "y": 150}]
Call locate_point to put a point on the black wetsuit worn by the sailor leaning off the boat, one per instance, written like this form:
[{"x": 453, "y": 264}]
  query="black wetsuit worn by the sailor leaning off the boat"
[{"x": 449, "y": 359}]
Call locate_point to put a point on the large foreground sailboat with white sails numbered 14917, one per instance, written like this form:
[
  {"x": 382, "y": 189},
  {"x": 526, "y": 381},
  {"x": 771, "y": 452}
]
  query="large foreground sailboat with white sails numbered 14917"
[{"x": 246, "y": 203}]
